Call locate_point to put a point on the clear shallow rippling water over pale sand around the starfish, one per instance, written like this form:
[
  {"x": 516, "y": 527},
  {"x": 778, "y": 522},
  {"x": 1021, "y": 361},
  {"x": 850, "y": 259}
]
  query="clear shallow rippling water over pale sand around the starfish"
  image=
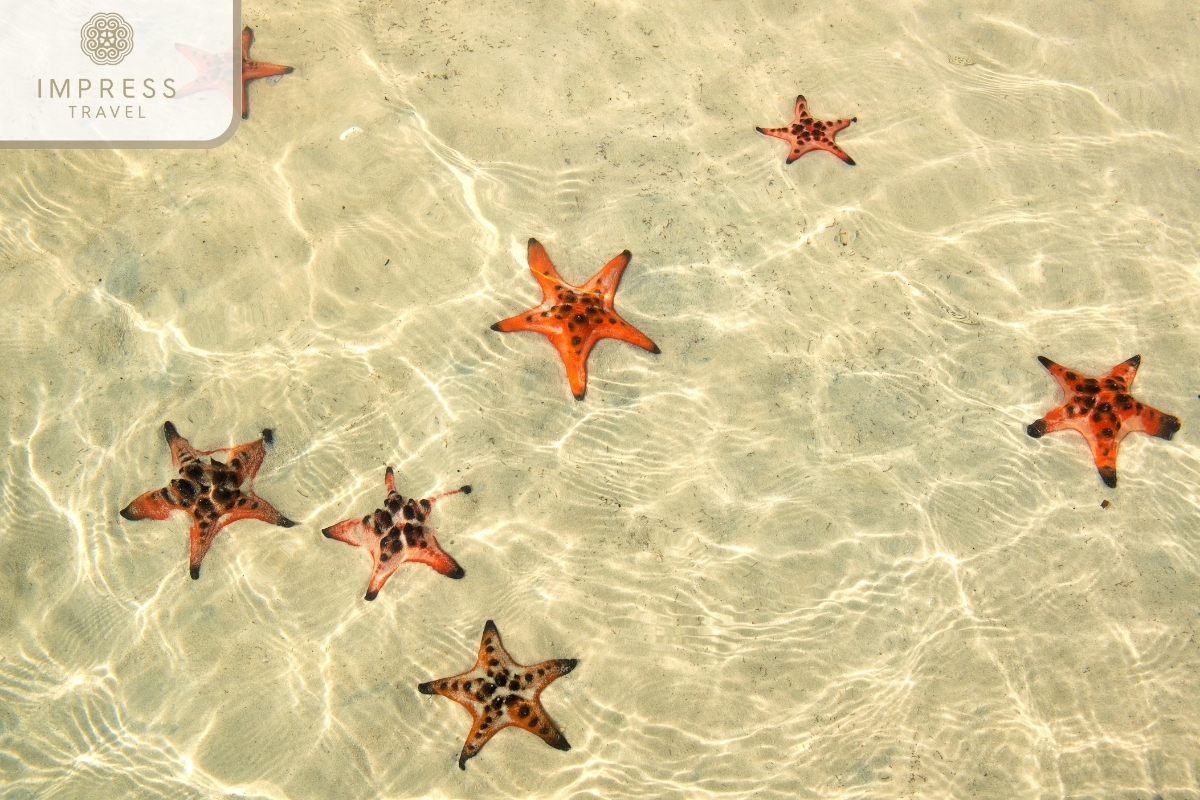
[{"x": 808, "y": 551}]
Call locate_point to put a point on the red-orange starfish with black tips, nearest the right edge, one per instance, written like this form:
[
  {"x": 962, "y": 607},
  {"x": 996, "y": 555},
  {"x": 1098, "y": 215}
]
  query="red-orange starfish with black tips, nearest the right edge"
[{"x": 1103, "y": 411}]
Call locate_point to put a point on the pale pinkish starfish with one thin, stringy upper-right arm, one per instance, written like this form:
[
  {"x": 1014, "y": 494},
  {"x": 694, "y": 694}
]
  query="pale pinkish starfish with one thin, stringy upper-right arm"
[{"x": 397, "y": 534}]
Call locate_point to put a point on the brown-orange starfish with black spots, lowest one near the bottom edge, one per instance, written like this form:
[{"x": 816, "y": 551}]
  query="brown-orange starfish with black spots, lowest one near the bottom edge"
[{"x": 500, "y": 693}]
